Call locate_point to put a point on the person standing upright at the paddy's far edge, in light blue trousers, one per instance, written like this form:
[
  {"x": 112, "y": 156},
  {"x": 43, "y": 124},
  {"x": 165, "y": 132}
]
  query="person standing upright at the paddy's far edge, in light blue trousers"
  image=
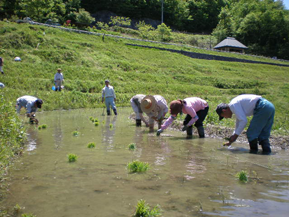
[{"x": 108, "y": 95}]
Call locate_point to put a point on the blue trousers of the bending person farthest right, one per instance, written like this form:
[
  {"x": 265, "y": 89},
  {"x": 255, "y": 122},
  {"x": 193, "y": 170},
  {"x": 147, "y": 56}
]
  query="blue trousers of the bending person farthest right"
[{"x": 262, "y": 121}]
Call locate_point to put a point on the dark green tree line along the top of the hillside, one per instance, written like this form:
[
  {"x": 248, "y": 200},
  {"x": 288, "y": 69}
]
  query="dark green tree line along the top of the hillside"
[{"x": 262, "y": 25}]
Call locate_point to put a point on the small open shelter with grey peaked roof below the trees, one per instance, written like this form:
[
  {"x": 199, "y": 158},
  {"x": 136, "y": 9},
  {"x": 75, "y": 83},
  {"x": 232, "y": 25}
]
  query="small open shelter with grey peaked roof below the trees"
[{"x": 230, "y": 44}]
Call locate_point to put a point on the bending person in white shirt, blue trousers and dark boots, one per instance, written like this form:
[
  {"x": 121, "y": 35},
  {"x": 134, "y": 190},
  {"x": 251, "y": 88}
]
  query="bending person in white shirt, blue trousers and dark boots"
[{"x": 260, "y": 126}]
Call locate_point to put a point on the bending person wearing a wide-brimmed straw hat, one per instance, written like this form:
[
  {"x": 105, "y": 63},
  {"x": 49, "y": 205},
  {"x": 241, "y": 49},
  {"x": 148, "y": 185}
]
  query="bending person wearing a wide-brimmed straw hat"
[{"x": 156, "y": 108}]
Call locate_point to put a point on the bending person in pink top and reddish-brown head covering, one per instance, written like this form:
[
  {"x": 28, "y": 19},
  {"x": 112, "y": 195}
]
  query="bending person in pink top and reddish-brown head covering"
[{"x": 196, "y": 110}]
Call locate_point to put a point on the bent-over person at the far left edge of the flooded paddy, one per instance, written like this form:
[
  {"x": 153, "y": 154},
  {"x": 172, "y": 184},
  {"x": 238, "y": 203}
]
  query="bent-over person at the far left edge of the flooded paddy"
[{"x": 31, "y": 104}]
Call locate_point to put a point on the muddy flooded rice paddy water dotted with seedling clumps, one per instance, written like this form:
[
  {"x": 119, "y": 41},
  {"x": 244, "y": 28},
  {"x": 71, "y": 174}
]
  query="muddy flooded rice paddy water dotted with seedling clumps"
[{"x": 186, "y": 177}]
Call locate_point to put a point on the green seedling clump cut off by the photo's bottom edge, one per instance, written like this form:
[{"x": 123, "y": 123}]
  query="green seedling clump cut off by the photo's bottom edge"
[{"x": 143, "y": 210}]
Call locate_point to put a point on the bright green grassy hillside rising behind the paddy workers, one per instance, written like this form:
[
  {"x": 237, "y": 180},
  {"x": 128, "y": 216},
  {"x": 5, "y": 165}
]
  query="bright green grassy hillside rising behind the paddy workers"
[{"x": 86, "y": 61}]
